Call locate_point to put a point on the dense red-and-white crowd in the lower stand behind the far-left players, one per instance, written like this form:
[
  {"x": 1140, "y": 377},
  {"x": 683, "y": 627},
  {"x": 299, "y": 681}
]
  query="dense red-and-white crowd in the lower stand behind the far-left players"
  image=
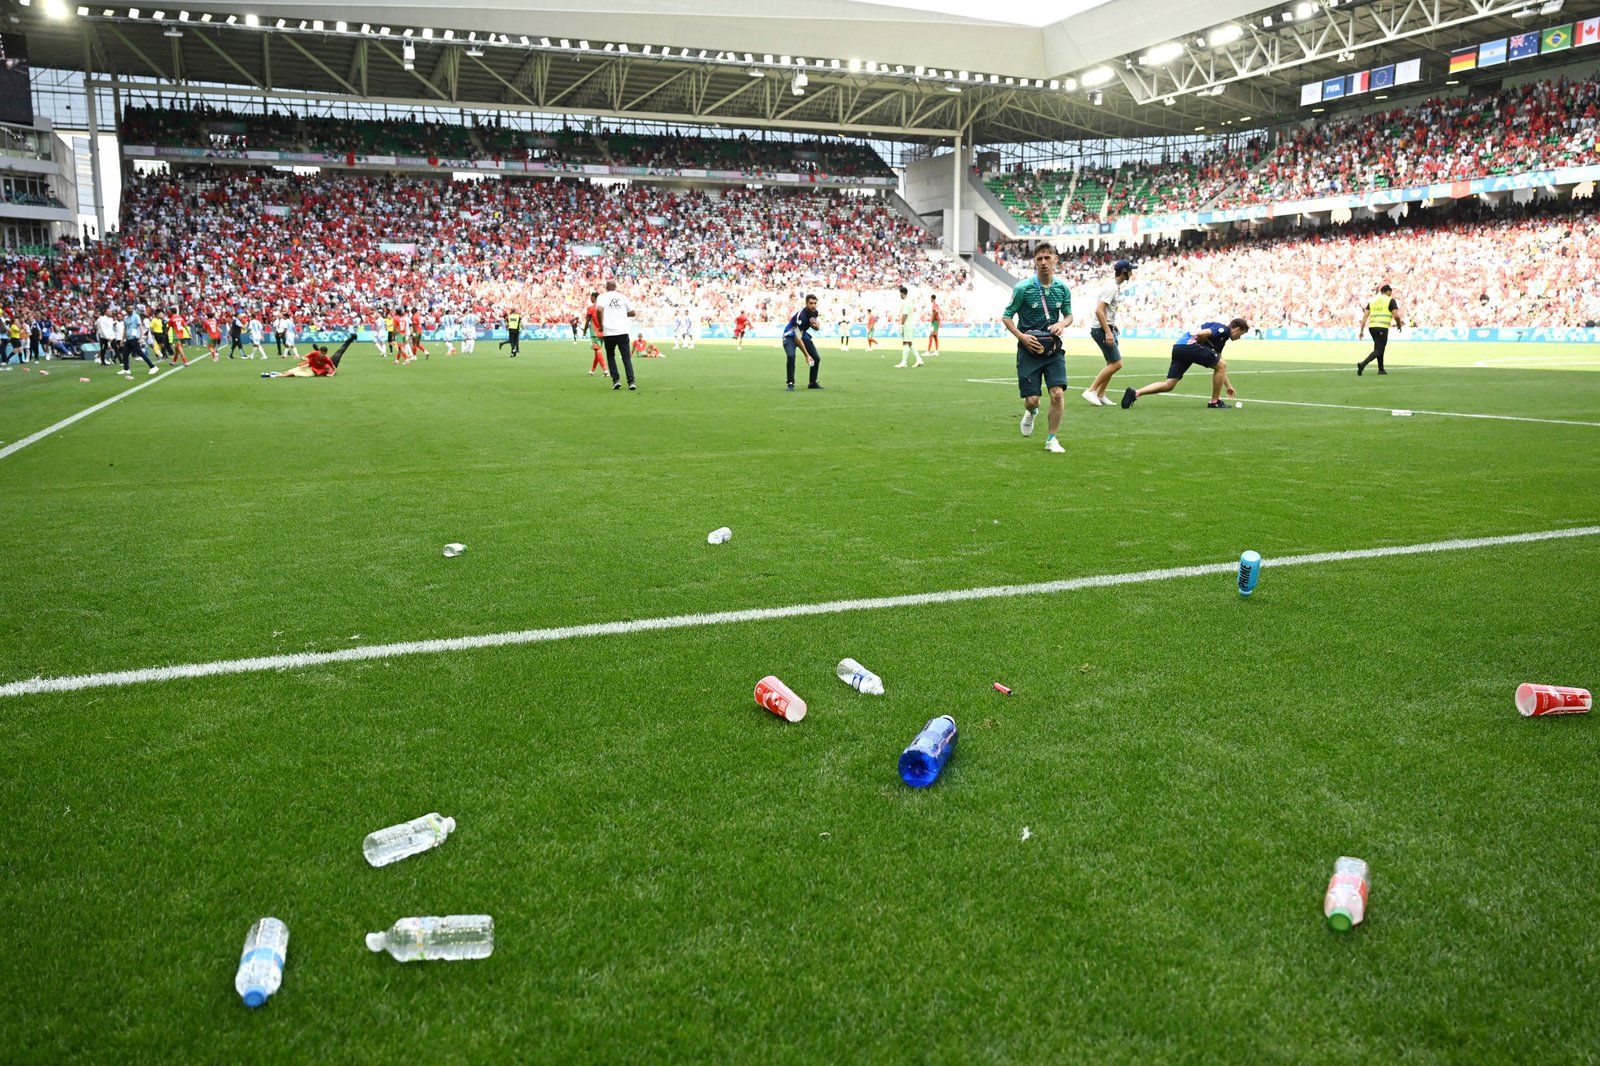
[{"x": 343, "y": 250}]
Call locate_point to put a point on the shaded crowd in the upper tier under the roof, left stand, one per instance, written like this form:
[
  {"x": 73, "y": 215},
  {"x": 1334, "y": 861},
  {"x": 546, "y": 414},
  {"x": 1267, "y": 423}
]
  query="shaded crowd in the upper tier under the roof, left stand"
[{"x": 487, "y": 138}]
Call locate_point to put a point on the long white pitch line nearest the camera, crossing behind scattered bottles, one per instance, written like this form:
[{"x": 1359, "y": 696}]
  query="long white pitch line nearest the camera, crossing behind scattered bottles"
[{"x": 302, "y": 660}]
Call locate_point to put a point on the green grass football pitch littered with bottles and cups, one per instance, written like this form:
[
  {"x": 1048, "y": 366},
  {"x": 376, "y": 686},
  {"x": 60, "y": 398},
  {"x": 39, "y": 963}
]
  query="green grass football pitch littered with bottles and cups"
[{"x": 679, "y": 876}]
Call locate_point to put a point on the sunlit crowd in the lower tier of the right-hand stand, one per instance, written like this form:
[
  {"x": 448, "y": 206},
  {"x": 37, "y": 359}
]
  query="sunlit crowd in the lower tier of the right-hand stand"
[{"x": 1471, "y": 268}]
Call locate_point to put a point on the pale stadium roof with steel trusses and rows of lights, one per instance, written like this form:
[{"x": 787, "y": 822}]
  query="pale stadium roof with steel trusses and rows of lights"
[{"x": 916, "y": 70}]
